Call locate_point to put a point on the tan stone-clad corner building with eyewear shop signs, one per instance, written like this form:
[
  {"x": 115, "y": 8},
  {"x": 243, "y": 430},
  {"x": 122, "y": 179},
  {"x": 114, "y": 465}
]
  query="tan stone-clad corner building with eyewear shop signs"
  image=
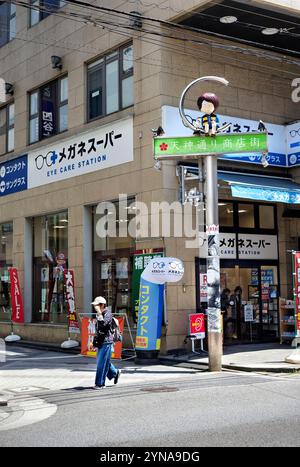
[{"x": 86, "y": 88}]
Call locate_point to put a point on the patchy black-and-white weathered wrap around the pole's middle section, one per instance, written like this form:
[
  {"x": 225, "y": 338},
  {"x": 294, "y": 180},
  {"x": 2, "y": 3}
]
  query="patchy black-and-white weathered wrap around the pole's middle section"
[{"x": 213, "y": 280}]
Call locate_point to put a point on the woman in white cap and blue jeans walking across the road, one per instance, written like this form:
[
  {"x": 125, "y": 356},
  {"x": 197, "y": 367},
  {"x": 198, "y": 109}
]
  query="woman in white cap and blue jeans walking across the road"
[{"x": 104, "y": 342}]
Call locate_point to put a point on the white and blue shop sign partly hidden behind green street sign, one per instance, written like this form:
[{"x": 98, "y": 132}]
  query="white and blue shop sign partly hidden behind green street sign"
[{"x": 277, "y": 134}]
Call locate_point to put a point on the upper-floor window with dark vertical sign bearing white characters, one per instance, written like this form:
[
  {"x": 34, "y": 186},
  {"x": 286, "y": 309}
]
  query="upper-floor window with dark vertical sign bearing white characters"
[{"x": 48, "y": 110}]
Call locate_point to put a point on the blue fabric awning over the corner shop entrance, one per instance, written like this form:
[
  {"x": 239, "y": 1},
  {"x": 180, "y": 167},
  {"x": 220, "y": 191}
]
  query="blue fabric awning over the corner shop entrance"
[{"x": 263, "y": 188}]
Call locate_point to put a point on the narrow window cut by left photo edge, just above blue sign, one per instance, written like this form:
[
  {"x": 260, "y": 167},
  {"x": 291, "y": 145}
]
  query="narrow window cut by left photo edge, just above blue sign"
[{"x": 7, "y": 128}]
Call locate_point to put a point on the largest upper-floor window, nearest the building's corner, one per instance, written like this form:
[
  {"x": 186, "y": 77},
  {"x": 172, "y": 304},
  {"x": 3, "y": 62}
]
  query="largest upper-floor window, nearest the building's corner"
[{"x": 110, "y": 83}]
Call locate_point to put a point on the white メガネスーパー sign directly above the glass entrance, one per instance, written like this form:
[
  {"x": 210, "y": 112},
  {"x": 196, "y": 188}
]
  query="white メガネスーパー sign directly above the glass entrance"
[{"x": 249, "y": 246}]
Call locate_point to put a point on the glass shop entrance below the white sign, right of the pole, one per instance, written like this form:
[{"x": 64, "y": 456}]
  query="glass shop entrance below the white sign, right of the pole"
[{"x": 249, "y": 301}]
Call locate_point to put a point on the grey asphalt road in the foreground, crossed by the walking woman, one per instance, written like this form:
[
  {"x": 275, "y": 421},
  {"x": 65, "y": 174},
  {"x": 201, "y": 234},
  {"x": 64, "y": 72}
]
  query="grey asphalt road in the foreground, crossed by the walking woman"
[{"x": 156, "y": 406}]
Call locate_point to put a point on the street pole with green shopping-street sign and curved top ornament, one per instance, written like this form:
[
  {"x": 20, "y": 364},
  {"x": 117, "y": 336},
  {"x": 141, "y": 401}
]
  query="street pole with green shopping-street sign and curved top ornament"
[{"x": 211, "y": 147}]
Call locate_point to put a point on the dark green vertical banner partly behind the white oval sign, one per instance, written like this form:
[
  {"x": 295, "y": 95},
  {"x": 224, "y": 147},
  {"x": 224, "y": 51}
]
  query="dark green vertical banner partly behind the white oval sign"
[{"x": 140, "y": 261}]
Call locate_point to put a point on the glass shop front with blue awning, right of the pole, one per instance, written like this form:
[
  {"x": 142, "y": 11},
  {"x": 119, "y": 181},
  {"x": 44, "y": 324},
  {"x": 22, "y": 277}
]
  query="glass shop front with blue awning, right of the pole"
[{"x": 249, "y": 258}]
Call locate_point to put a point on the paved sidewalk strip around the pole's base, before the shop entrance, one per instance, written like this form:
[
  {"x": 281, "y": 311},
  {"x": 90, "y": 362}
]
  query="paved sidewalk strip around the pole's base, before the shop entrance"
[{"x": 246, "y": 357}]
